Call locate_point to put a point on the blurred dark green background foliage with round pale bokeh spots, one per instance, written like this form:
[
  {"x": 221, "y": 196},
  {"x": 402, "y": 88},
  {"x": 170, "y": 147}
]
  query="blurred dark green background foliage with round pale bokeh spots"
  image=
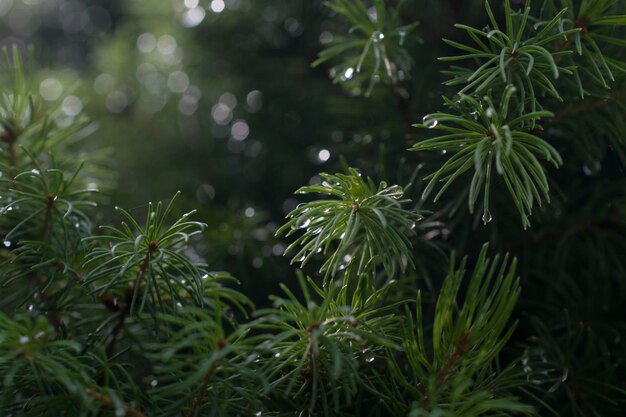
[{"x": 217, "y": 98}]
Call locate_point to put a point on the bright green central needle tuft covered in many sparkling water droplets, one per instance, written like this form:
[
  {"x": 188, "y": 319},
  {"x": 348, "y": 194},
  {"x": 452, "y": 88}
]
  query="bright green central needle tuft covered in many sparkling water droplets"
[{"x": 363, "y": 227}]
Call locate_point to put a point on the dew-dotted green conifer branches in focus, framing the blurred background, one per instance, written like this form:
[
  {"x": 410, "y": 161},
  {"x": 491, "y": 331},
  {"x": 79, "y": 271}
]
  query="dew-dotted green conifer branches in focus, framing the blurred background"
[{"x": 121, "y": 319}]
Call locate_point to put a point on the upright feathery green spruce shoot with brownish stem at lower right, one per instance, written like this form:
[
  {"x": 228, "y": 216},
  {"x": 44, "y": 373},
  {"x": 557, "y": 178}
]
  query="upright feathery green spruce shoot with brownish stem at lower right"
[{"x": 466, "y": 340}]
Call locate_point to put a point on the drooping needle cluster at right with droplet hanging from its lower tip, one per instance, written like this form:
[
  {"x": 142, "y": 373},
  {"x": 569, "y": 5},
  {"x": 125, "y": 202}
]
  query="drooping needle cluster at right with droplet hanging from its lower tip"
[{"x": 490, "y": 138}]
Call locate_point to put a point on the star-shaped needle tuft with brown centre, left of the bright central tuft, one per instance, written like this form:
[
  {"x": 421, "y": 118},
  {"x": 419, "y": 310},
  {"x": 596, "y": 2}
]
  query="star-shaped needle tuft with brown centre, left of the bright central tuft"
[{"x": 146, "y": 261}]
